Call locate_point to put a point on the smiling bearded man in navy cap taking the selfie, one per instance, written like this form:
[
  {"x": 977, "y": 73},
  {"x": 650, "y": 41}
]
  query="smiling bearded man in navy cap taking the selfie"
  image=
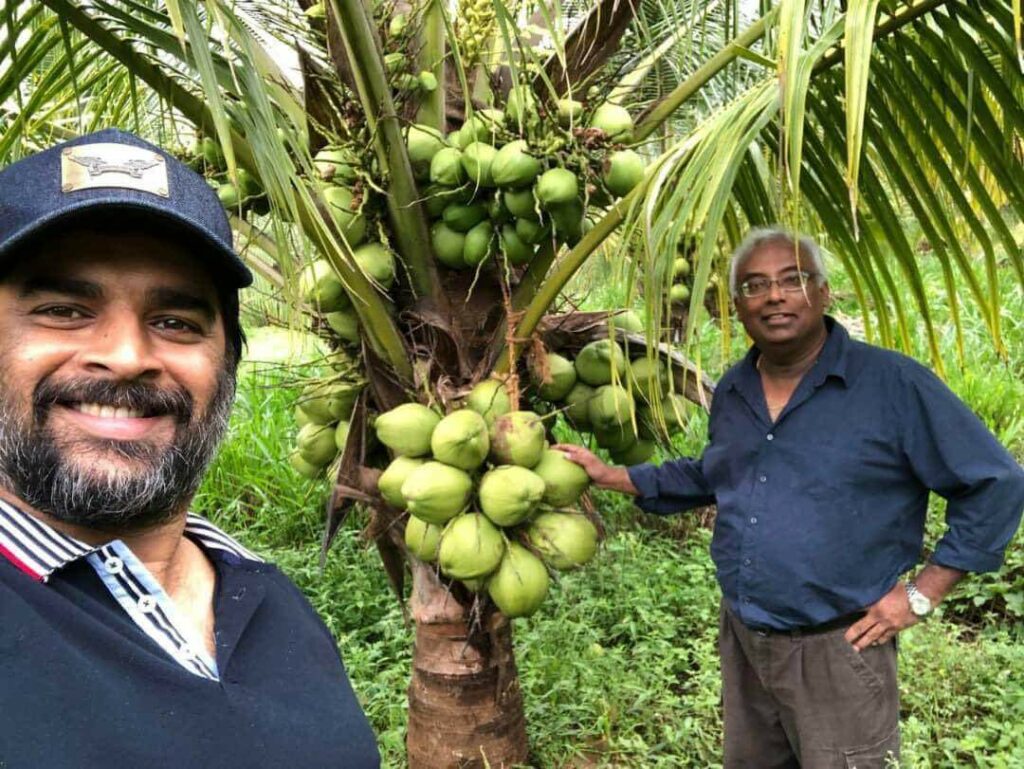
[{"x": 132, "y": 631}]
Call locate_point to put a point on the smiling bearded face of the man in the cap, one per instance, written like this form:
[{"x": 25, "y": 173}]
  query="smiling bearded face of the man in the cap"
[{"x": 114, "y": 388}]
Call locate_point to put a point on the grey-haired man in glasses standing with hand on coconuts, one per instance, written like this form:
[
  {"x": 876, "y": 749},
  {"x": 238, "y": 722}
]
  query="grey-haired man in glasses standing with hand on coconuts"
[{"x": 821, "y": 458}]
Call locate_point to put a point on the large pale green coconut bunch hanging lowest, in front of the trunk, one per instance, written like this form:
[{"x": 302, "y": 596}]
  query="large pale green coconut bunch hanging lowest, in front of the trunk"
[{"x": 488, "y": 501}]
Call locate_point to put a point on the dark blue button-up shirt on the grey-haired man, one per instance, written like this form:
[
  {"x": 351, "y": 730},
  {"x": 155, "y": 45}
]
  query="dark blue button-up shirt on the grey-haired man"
[{"x": 823, "y": 510}]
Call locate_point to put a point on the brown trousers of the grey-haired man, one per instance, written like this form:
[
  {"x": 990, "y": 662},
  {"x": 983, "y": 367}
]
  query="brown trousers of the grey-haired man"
[{"x": 807, "y": 701}]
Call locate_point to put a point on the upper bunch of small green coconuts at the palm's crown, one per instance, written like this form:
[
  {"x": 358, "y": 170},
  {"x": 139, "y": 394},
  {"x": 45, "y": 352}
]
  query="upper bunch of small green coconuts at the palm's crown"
[{"x": 502, "y": 184}]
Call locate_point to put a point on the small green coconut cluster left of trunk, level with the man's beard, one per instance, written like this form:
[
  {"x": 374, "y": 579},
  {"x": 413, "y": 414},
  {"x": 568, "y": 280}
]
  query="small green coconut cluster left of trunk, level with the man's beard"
[{"x": 322, "y": 414}]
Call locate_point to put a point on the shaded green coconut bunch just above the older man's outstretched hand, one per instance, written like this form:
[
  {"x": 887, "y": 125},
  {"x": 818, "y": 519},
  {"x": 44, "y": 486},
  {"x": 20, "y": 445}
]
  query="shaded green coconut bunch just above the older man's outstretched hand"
[{"x": 601, "y": 394}]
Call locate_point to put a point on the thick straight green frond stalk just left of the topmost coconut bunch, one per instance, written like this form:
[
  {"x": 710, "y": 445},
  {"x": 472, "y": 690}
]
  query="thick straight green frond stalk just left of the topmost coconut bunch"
[{"x": 409, "y": 223}]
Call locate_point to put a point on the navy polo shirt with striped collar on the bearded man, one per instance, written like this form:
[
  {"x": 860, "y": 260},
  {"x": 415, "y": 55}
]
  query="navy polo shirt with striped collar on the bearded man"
[{"x": 97, "y": 669}]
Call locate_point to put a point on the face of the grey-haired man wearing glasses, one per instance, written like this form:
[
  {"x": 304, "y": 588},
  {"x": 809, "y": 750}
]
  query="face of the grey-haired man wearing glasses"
[{"x": 781, "y": 318}]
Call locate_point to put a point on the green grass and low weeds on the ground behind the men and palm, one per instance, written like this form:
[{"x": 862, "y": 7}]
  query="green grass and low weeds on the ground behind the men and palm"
[{"x": 620, "y": 667}]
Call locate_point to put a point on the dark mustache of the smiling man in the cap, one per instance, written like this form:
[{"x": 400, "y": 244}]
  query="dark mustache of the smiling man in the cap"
[{"x": 151, "y": 401}]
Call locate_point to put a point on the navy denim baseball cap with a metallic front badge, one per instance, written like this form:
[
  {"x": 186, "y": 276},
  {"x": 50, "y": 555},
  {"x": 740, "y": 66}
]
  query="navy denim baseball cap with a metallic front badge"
[{"x": 108, "y": 172}]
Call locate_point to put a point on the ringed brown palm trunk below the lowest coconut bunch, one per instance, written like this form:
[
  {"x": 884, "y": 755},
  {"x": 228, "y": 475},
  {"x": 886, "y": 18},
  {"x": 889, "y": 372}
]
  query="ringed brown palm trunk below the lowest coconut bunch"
[{"x": 465, "y": 705}]
